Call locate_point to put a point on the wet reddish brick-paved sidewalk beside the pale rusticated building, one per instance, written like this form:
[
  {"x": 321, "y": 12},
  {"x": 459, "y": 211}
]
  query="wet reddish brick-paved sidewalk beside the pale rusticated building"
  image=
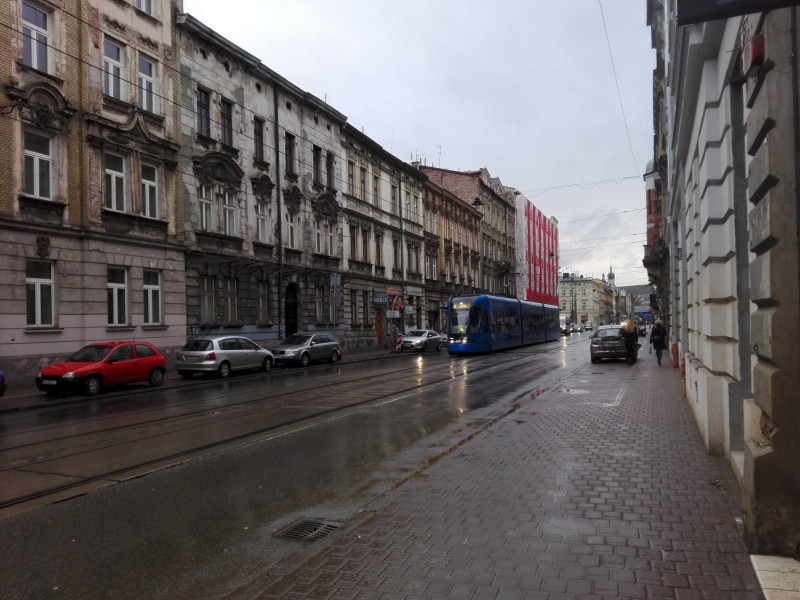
[{"x": 601, "y": 489}]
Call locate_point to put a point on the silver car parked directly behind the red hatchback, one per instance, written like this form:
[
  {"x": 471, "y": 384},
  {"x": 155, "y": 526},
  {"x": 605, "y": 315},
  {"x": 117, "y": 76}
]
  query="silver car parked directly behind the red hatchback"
[{"x": 221, "y": 354}]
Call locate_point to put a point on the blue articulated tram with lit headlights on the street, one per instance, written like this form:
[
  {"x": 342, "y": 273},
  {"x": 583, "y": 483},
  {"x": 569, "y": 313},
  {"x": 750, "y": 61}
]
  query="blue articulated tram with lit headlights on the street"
[{"x": 479, "y": 324}]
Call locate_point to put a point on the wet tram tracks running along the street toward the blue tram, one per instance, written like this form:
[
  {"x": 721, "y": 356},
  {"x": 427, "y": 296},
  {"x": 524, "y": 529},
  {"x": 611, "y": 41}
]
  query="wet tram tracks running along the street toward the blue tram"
[{"x": 133, "y": 449}]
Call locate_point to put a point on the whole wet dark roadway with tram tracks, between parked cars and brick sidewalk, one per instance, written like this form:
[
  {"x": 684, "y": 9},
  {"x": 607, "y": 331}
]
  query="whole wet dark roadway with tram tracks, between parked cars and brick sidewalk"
[{"x": 247, "y": 455}]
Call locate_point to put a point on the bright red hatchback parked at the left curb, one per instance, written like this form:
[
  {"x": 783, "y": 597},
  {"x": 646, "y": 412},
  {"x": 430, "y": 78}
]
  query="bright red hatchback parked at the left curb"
[{"x": 103, "y": 364}]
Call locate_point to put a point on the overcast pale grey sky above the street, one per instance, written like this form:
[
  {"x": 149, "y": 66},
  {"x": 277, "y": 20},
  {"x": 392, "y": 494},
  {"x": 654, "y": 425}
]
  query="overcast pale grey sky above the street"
[{"x": 554, "y": 98}]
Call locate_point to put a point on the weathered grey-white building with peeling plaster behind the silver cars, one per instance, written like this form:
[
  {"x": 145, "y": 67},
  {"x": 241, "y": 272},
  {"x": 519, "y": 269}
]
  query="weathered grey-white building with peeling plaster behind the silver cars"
[{"x": 263, "y": 187}]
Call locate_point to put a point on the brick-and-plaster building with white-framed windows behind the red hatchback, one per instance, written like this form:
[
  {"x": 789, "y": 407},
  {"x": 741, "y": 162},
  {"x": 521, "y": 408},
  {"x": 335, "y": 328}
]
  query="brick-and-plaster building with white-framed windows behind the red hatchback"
[{"x": 90, "y": 203}]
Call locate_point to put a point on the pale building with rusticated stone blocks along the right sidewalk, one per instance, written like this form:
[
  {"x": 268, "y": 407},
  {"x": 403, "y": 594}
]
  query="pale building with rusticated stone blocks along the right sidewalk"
[{"x": 725, "y": 151}]
